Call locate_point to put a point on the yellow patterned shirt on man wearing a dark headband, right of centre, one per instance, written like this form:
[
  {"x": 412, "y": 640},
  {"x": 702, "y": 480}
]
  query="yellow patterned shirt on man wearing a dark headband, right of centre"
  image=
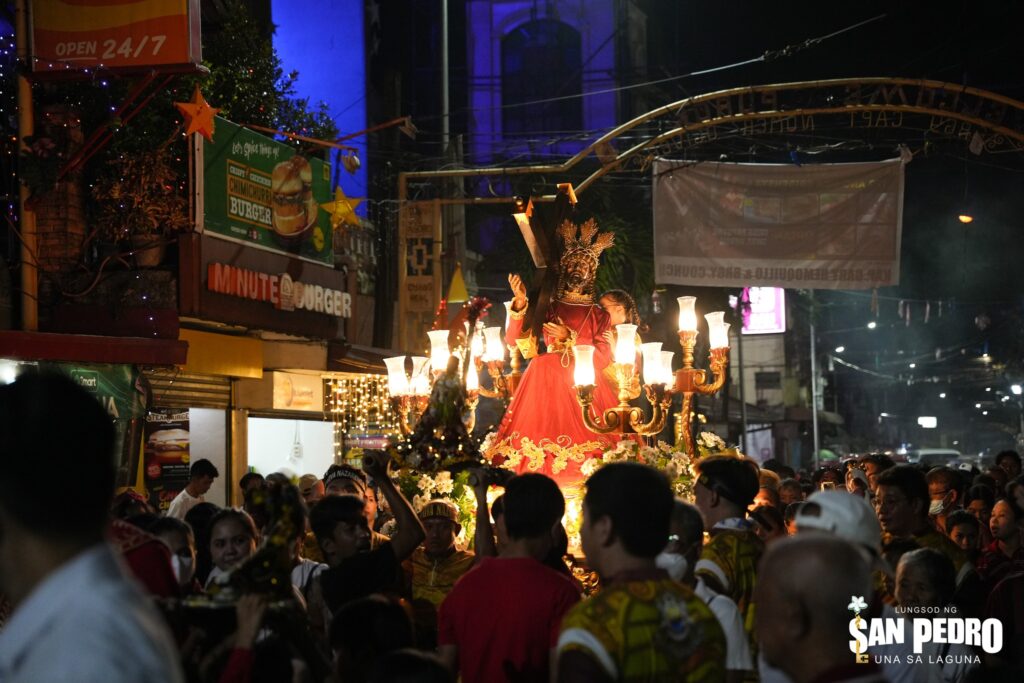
[{"x": 729, "y": 566}]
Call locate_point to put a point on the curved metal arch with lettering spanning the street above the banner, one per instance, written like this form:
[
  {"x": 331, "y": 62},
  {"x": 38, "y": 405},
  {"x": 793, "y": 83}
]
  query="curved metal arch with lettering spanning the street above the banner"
[{"x": 886, "y": 88}]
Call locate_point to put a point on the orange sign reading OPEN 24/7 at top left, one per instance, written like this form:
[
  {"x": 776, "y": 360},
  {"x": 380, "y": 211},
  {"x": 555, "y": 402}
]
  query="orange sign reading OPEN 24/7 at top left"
[{"x": 73, "y": 35}]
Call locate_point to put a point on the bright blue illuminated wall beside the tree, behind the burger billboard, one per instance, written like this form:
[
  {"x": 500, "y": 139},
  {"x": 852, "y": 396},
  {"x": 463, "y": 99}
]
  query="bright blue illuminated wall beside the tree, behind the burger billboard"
[{"x": 324, "y": 41}]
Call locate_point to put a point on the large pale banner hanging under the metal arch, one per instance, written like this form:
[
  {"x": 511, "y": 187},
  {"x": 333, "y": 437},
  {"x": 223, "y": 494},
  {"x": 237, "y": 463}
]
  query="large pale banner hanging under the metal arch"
[{"x": 817, "y": 227}]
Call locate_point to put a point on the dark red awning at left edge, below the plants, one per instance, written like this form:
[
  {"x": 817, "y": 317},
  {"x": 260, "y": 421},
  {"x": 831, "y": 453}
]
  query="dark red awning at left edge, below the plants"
[{"x": 90, "y": 349}]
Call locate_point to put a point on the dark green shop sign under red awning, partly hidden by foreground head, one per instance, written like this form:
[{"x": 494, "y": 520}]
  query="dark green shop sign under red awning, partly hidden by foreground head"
[{"x": 119, "y": 391}]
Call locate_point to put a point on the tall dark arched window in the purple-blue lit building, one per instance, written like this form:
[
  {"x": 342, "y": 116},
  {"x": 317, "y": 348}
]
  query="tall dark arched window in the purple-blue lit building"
[{"x": 541, "y": 60}]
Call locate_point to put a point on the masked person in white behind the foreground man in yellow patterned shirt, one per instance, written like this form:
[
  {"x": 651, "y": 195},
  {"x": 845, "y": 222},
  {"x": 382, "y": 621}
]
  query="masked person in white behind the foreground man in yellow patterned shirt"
[{"x": 679, "y": 559}]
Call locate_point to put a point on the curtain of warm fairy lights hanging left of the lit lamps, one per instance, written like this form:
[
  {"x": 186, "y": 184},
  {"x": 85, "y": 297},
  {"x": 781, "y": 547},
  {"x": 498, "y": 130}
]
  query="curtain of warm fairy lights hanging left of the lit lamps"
[{"x": 360, "y": 405}]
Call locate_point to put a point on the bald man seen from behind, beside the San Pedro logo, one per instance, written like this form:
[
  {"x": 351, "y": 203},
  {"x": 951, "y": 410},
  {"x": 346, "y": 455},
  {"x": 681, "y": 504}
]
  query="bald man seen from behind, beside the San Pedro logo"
[{"x": 802, "y": 623}]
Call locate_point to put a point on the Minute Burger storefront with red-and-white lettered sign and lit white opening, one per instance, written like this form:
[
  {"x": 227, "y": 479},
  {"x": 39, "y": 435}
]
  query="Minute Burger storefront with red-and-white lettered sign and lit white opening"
[{"x": 290, "y": 308}]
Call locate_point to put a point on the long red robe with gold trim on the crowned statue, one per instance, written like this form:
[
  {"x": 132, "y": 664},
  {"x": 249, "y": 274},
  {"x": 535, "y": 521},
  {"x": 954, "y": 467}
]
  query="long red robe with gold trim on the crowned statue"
[{"x": 543, "y": 430}]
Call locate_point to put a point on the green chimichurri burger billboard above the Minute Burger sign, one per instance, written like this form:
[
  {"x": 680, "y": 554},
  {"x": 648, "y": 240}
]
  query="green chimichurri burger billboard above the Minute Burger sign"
[{"x": 263, "y": 193}]
